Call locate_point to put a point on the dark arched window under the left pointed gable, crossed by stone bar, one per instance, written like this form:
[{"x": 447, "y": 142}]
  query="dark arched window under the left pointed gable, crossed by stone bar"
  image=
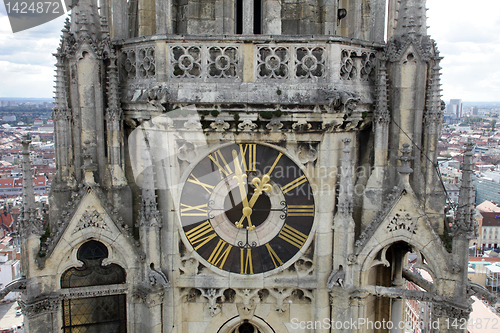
[{"x": 94, "y": 314}]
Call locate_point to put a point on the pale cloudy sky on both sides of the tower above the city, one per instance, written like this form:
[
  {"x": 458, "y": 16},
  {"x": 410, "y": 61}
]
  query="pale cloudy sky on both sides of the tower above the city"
[{"x": 467, "y": 33}]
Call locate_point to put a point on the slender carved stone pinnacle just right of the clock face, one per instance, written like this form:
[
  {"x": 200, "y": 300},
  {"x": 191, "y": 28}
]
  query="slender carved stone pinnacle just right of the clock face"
[{"x": 346, "y": 187}]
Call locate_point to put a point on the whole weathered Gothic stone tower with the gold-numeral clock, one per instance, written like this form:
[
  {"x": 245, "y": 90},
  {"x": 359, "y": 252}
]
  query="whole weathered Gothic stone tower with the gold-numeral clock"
[{"x": 245, "y": 166}]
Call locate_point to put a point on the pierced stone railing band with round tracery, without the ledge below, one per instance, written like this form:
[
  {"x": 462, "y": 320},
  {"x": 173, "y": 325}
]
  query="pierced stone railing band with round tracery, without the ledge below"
[{"x": 241, "y": 61}]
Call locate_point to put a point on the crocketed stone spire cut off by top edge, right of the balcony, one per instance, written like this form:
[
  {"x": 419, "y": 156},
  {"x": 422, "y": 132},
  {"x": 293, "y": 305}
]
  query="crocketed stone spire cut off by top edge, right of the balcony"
[{"x": 412, "y": 19}]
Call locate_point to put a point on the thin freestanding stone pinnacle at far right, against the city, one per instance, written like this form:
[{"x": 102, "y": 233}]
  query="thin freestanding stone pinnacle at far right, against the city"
[{"x": 464, "y": 223}]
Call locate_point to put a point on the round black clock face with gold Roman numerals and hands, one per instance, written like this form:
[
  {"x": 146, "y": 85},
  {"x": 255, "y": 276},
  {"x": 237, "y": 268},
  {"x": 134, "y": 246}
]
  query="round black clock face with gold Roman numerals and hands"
[{"x": 247, "y": 208}]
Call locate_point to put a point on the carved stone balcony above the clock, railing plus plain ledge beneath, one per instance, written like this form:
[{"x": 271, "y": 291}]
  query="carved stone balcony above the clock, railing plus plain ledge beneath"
[{"x": 237, "y": 70}]
